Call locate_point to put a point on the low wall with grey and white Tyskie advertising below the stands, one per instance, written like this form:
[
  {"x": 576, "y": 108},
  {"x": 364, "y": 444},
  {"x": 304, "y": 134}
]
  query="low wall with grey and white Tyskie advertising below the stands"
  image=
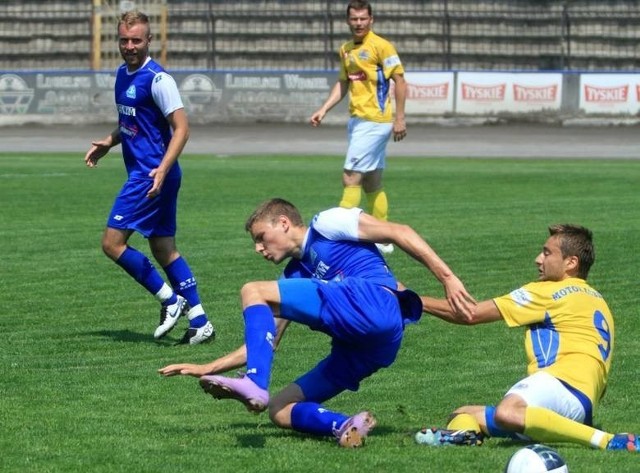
[{"x": 280, "y": 97}]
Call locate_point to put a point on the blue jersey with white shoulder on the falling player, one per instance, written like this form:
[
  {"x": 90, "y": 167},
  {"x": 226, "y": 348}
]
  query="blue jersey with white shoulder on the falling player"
[{"x": 332, "y": 251}]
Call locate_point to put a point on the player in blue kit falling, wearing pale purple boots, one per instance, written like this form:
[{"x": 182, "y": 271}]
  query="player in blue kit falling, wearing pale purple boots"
[{"x": 336, "y": 282}]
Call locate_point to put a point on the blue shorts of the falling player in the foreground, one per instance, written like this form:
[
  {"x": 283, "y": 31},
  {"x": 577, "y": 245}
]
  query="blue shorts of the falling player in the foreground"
[{"x": 365, "y": 324}]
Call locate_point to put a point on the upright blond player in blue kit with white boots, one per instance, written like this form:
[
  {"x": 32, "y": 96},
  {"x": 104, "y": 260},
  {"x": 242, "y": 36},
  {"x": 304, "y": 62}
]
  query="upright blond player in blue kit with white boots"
[{"x": 153, "y": 130}]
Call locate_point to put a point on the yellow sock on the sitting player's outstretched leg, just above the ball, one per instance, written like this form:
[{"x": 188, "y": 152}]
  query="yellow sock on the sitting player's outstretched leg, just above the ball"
[{"x": 544, "y": 425}]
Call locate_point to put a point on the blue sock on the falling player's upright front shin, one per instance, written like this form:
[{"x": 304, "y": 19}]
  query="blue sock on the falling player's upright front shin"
[{"x": 259, "y": 336}]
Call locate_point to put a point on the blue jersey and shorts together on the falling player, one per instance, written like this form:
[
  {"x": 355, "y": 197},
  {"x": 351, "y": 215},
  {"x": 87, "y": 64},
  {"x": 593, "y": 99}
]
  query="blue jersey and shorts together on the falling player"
[{"x": 342, "y": 286}]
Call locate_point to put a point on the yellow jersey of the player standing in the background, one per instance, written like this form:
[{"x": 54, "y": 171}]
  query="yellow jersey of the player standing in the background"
[{"x": 368, "y": 67}]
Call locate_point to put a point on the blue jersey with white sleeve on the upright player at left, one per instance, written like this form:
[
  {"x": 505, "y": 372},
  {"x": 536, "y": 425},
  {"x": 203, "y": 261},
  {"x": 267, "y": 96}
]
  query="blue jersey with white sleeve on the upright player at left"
[{"x": 144, "y": 98}]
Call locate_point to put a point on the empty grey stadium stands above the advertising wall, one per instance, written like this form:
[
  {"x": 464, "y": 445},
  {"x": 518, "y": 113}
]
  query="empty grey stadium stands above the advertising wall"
[{"x": 583, "y": 35}]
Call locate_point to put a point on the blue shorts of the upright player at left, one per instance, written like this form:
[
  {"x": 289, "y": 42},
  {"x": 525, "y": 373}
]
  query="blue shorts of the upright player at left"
[{"x": 155, "y": 217}]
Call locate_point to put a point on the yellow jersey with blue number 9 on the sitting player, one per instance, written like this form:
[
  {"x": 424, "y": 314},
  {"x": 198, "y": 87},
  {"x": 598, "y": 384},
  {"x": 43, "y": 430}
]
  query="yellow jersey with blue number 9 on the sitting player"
[{"x": 570, "y": 332}]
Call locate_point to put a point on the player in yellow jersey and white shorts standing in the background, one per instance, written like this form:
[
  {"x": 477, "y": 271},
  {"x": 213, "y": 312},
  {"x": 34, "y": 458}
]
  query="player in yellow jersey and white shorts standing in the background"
[{"x": 368, "y": 64}]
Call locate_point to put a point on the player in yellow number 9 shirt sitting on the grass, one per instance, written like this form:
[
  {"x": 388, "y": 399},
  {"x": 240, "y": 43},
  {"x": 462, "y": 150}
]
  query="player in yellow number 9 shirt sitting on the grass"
[{"x": 569, "y": 344}]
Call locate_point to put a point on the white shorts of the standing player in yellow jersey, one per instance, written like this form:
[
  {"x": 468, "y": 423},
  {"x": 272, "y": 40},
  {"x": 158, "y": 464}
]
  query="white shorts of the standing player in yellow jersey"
[{"x": 367, "y": 145}]
